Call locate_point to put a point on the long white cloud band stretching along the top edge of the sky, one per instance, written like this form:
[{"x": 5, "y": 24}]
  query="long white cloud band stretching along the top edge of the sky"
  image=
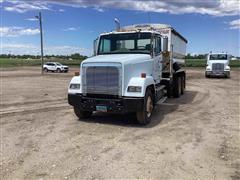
[{"x": 210, "y": 7}]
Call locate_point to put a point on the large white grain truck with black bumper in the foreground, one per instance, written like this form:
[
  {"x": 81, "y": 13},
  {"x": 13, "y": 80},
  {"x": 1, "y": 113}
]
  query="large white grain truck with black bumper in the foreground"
[{"x": 132, "y": 69}]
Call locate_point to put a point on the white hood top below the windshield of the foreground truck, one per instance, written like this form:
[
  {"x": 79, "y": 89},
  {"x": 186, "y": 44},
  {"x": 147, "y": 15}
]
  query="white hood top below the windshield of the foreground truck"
[{"x": 119, "y": 58}]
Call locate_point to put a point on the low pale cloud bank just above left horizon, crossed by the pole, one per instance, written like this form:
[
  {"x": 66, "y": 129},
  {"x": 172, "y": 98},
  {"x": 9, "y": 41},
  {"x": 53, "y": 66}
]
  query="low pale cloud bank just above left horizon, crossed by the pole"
[{"x": 20, "y": 49}]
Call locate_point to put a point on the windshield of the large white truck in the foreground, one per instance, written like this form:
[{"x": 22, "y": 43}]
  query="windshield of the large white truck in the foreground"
[{"x": 125, "y": 43}]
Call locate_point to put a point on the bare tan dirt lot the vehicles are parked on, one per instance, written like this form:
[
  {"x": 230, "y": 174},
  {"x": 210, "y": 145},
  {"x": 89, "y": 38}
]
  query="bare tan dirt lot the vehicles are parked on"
[{"x": 193, "y": 137}]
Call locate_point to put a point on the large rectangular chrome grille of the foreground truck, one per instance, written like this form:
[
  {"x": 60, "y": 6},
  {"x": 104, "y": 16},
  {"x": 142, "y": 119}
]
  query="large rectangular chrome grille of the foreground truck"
[{"x": 101, "y": 80}]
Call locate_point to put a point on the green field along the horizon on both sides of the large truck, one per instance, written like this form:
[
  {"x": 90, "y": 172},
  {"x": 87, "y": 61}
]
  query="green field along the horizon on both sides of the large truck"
[{"x": 6, "y": 62}]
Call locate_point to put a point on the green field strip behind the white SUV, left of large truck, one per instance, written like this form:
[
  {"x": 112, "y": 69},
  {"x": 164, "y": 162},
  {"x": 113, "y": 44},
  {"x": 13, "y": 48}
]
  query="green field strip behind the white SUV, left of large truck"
[{"x": 7, "y": 62}]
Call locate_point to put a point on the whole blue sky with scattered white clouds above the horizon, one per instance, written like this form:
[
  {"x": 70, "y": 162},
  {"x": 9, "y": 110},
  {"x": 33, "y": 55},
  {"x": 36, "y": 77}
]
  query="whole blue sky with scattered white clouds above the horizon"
[{"x": 71, "y": 26}]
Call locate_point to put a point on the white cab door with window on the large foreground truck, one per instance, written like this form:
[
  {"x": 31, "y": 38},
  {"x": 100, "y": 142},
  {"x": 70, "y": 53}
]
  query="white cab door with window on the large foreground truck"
[{"x": 157, "y": 59}]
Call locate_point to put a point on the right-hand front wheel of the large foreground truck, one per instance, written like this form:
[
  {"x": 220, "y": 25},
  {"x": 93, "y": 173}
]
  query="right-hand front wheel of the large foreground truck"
[{"x": 144, "y": 117}]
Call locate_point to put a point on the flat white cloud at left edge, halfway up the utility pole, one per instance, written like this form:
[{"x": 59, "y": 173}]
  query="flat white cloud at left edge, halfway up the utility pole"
[{"x": 17, "y": 31}]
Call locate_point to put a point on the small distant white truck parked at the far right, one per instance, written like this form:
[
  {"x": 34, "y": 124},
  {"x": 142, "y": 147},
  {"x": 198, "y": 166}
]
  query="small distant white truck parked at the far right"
[{"x": 218, "y": 65}]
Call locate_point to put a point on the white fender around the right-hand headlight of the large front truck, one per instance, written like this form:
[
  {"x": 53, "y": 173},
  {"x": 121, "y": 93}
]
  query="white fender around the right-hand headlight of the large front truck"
[{"x": 138, "y": 81}]
